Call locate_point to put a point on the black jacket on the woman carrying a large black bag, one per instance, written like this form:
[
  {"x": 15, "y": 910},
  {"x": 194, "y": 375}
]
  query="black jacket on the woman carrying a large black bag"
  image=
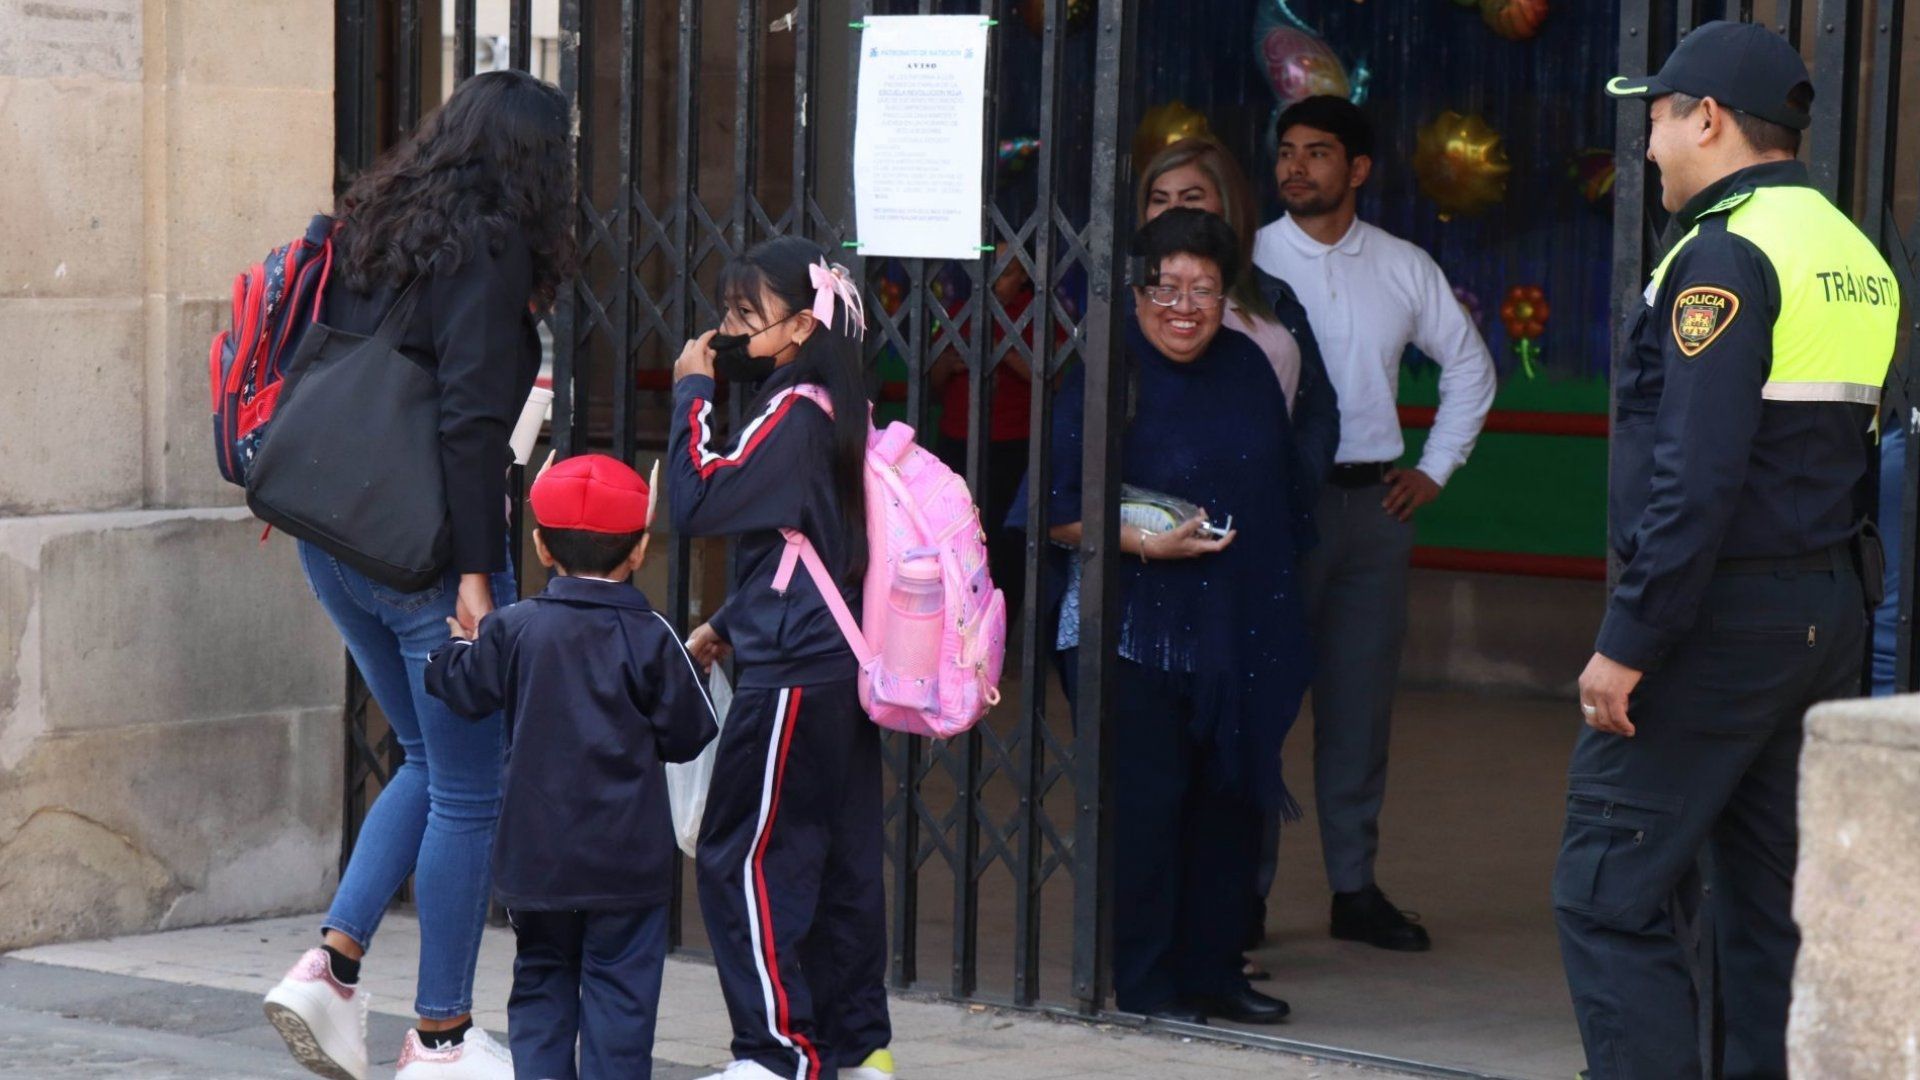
[{"x": 473, "y": 330}]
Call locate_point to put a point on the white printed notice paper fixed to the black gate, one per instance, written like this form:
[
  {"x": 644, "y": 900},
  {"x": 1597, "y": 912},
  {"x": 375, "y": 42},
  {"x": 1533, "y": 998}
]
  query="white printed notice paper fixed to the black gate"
[{"x": 917, "y": 147}]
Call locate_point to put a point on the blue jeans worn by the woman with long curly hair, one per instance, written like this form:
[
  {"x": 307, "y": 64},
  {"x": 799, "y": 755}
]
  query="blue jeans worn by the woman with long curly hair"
[{"x": 435, "y": 820}]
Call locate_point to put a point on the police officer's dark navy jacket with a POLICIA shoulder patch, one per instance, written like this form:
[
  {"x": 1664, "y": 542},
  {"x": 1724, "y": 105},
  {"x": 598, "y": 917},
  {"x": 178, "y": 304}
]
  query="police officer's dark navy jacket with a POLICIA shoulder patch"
[{"x": 1702, "y": 466}]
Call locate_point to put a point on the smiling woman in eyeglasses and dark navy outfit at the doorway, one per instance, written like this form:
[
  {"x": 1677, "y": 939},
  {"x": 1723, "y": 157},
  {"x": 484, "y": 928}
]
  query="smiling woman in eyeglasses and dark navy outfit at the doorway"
[{"x": 1212, "y": 637}]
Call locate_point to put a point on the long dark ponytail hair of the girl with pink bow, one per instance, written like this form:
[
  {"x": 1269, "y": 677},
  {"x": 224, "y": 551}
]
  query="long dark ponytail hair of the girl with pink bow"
[{"x": 832, "y": 356}]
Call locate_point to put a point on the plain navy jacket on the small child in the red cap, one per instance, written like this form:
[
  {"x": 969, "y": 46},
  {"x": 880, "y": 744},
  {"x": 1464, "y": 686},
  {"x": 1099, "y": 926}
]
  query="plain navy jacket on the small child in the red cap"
[{"x": 598, "y": 695}]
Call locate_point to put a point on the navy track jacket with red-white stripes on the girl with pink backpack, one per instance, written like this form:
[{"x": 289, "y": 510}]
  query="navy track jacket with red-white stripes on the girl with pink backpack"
[{"x": 777, "y": 474}]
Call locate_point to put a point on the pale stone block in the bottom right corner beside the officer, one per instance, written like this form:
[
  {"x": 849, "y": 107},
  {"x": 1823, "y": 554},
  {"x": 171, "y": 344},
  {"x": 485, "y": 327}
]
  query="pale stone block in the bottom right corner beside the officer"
[{"x": 1858, "y": 895}]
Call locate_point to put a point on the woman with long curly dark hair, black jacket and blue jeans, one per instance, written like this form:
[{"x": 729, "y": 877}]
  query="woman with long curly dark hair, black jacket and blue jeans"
[{"x": 462, "y": 233}]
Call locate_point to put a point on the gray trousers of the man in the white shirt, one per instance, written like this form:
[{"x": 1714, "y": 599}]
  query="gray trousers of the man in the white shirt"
[{"x": 1356, "y": 595}]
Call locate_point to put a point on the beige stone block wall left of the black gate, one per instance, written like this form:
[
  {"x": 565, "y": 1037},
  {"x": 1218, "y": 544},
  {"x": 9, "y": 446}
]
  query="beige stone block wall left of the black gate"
[{"x": 170, "y": 695}]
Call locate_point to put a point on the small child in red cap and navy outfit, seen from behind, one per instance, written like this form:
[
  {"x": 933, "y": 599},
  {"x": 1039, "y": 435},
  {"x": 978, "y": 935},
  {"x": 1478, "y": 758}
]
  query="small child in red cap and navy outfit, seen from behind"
[{"x": 598, "y": 695}]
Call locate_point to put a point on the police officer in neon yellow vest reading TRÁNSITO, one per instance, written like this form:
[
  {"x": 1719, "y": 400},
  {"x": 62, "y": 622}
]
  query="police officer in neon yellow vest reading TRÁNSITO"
[{"x": 1744, "y": 410}]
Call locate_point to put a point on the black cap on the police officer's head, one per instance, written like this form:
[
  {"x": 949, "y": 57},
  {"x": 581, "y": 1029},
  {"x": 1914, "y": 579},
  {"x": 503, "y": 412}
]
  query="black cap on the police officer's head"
[{"x": 1744, "y": 66}]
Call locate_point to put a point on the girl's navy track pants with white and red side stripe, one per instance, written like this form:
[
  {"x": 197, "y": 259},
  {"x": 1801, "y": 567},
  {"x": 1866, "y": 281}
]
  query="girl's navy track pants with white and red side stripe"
[{"x": 790, "y": 879}]
